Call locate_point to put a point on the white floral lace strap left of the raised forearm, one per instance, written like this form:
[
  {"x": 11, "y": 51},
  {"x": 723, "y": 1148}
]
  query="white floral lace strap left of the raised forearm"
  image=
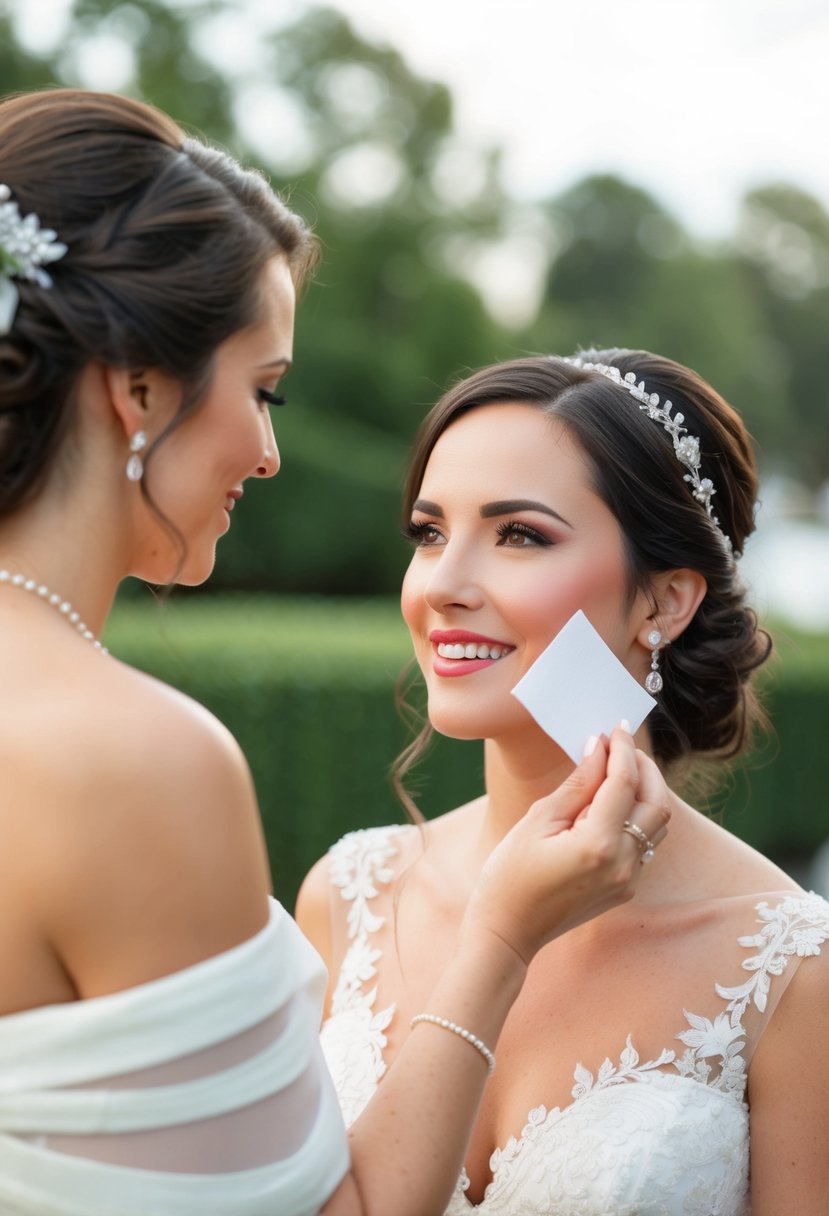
[{"x": 359, "y": 866}]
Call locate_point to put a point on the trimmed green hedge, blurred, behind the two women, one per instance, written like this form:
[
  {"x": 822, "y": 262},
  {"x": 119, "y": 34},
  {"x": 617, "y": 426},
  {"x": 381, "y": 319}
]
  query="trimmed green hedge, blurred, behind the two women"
[{"x": 308, "y": 689}]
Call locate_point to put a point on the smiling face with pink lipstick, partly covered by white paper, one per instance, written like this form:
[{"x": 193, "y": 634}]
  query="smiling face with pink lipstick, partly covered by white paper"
[{"x": 510, "y": 542}]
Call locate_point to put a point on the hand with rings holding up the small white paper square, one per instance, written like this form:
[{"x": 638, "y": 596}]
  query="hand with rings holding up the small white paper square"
[{"x": 569, "y": 859}]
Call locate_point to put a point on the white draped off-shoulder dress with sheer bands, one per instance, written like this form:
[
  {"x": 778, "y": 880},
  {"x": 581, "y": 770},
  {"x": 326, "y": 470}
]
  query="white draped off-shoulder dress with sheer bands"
[{"x": 201, "y": 1094}]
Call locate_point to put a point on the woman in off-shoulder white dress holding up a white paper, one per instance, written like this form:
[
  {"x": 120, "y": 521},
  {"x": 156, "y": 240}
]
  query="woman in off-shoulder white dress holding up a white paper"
[{"x": 159, "y": 1017}]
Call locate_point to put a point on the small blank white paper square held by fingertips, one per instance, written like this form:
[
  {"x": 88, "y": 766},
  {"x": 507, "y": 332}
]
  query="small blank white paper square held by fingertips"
[{"x": 578, "y": 688}]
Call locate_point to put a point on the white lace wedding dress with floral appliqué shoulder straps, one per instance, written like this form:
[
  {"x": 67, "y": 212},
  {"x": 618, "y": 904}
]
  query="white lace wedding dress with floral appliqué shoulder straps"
[{"x": 662, "y": 1131}]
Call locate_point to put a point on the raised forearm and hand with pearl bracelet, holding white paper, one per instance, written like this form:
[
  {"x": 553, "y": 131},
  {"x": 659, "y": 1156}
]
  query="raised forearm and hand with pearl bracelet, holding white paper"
[{"x": 566, "y": 862}]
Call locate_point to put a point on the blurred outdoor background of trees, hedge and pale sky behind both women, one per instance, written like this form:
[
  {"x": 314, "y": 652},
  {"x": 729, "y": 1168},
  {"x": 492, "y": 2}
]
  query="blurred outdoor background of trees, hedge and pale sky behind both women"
[{"x": 487, "y": 182}]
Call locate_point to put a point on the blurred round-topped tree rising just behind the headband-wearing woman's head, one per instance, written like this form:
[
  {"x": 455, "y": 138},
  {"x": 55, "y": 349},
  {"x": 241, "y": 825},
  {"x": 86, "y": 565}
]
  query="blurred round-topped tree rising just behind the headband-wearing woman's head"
[{"x": 629, "y": 275}]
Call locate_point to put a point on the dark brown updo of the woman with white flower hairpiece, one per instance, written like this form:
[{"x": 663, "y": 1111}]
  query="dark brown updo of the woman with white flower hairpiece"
[{"x": 167, "y": 240}]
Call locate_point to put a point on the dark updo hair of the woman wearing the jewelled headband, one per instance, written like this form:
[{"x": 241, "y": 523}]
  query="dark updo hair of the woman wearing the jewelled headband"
[{"x": 707, "y": 706}]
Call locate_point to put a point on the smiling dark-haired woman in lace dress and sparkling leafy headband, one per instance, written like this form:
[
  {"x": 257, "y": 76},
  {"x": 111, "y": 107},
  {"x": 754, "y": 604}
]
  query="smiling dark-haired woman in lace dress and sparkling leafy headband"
[{"x": 651, "y": 1049}]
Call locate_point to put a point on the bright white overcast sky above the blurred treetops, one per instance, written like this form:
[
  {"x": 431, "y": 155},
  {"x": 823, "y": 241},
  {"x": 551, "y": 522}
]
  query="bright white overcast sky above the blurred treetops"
[{"x": 697, "y": 100}]
